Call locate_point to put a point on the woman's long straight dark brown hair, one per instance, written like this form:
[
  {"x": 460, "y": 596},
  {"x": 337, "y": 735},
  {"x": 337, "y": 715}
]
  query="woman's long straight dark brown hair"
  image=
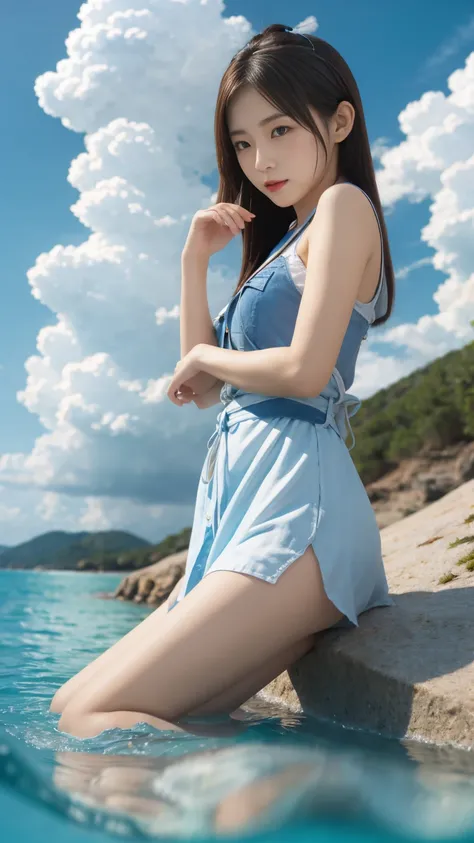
[{"x": 283, "y": 68}]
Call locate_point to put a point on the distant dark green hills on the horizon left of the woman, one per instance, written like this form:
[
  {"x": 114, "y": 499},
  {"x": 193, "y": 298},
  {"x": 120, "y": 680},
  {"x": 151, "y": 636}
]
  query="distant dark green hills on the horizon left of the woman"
[{"x": 108, "y": 550}]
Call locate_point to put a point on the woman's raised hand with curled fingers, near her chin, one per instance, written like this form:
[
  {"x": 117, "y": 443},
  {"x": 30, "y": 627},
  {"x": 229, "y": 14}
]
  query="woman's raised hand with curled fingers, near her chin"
[{"x": 213, "y": 228}]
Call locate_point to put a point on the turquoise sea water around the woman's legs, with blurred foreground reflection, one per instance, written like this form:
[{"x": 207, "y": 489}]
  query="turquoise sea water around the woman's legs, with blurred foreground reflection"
[{"x": 276, "y": 776}]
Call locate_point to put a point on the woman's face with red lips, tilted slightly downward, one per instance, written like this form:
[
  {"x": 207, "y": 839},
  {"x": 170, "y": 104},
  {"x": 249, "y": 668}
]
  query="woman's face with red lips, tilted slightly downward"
[{"x": 277, "y": 149}]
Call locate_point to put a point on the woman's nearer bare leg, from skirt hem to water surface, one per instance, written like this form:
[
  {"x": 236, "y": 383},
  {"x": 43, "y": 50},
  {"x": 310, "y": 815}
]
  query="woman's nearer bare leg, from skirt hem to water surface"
[{"x": 228, "y": 626}]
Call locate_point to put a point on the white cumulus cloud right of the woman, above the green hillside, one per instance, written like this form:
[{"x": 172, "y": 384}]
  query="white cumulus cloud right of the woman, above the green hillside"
[{"x": 435, "y": 161}]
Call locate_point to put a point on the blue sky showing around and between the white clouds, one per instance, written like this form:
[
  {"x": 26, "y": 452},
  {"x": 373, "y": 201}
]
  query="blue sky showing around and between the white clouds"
[{"x": 397, "y": 52}]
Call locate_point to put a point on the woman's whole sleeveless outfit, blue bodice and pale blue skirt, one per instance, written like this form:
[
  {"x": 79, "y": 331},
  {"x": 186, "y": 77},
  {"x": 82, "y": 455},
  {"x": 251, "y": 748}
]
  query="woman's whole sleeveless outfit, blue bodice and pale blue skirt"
[{"x": 278, "y": 475}]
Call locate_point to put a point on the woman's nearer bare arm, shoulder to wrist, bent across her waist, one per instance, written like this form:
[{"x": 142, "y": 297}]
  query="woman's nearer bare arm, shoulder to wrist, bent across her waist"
[{"x": 333, "y": 278}]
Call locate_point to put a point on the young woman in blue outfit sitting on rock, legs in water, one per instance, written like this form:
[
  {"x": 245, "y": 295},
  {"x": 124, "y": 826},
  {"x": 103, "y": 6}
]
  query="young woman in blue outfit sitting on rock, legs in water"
[{"x": 282, "y": 520}]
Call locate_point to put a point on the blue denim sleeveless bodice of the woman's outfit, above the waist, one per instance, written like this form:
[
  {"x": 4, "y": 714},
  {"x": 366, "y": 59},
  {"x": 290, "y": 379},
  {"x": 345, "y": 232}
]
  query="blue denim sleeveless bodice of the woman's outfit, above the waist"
[{"x": 263, "y": 313}]
